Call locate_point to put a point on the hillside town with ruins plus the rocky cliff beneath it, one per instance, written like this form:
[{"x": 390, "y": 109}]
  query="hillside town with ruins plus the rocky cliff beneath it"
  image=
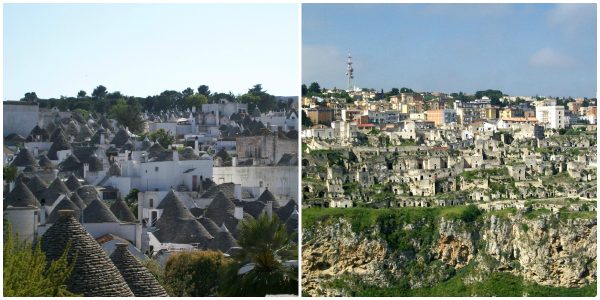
[{"x": 417, "y": 186}]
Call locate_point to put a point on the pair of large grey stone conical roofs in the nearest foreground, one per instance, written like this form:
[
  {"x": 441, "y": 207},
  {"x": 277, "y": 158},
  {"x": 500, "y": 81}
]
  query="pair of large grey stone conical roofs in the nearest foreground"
[{"x": 94, "y": 273}]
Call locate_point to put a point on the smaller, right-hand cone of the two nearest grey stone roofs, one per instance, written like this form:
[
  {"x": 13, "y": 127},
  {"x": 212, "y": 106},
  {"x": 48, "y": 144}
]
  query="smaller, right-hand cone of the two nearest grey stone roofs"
[{"x": 141, "y": 282}]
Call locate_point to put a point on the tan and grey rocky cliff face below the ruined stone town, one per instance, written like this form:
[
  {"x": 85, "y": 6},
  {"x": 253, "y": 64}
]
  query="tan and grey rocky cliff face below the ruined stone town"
[{"x": 545, "y": 250}]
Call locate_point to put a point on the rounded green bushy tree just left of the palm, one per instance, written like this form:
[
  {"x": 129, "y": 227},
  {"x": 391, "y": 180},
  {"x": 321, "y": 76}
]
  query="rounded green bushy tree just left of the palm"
[{"x": 194, "y": 273}]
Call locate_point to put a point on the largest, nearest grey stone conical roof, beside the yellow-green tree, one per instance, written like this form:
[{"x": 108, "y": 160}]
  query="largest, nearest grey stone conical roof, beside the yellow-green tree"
[{"x": 94, "y": 274}]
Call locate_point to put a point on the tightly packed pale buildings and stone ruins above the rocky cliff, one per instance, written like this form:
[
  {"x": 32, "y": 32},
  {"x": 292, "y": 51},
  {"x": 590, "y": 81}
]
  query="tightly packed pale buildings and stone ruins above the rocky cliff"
[{"x": 392, "y": 153}]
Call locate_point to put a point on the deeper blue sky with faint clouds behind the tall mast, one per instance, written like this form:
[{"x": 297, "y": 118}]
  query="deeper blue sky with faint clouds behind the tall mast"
[{"x": 520, "y": 49}]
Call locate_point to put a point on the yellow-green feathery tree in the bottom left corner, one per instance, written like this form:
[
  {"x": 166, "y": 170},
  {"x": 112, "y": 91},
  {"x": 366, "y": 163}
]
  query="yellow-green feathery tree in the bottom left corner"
[{"x": 26, "y": 272}]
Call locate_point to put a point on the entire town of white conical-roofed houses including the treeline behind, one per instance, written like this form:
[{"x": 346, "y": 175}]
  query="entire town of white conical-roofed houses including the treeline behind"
[{"x": 139, "y": 180}]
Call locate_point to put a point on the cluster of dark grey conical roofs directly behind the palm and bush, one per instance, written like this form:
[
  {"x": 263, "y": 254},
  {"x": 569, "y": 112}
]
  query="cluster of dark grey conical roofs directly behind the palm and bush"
[{"x": 178, "y": 225}]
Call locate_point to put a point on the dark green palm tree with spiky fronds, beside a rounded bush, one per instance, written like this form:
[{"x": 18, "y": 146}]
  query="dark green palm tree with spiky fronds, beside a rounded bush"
[{"x": 265, "y": 243}]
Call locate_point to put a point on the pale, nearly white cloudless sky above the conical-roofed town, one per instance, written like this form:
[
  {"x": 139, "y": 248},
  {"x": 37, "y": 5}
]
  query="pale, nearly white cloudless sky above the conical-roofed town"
[{"x": 144, "y": 49}]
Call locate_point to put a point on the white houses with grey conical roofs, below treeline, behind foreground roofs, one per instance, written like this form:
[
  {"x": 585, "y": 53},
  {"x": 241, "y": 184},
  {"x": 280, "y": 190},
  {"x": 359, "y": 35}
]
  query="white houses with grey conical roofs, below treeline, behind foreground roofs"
[{"x": 133, "y": 195}]
